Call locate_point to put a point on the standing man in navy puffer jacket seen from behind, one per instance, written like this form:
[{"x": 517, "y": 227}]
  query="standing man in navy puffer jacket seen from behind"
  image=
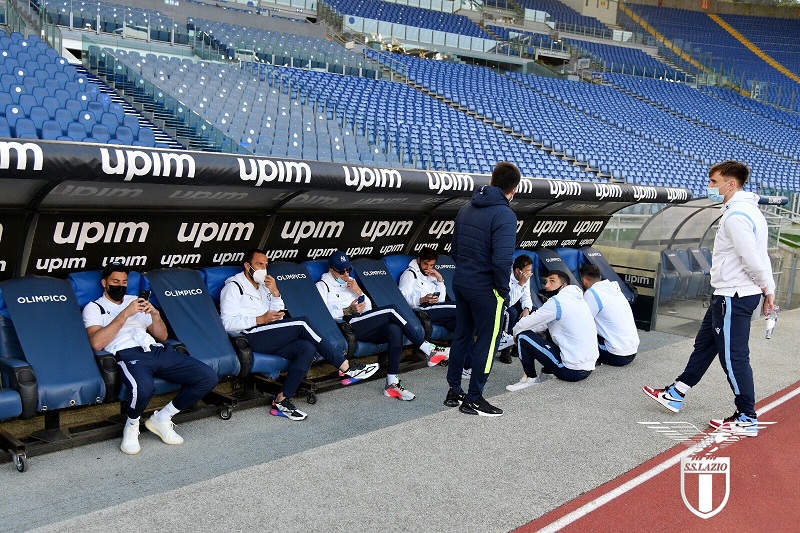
[{"x": 482, "y": 248}]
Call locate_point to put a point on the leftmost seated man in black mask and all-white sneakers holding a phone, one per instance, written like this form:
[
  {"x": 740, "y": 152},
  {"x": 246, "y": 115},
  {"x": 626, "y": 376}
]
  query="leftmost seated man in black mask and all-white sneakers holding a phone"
[{"x": 132, "y": 329}]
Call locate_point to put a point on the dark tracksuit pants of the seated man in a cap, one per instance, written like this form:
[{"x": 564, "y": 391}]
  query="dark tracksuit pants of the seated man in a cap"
[{"x": 384, "y": 324}]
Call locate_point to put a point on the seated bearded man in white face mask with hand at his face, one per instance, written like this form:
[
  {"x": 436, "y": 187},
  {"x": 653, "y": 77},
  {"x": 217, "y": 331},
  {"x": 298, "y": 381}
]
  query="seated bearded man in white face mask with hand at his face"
[{"x": 251, "y": 305}]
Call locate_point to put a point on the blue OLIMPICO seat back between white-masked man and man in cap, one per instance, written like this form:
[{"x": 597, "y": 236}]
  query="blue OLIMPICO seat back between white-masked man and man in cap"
[{"x": 302, "y": 299}]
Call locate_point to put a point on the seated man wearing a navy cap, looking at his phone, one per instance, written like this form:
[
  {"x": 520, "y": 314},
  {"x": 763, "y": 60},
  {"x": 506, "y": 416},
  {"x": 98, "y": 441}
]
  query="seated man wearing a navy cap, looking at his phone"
[{"x": 347, "y": 302}]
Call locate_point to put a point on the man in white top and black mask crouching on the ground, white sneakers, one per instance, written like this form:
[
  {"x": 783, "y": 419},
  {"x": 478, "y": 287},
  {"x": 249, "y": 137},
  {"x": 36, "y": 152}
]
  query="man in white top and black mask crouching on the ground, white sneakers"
[{"x": 572, "y": 353}]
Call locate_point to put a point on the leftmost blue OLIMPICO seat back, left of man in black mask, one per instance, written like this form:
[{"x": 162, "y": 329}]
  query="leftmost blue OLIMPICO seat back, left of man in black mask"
[{"x": 48, "y": 323}]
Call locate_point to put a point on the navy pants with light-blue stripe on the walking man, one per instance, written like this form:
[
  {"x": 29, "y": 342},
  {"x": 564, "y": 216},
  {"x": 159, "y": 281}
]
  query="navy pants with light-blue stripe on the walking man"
[{"x": 725, "y": 332}]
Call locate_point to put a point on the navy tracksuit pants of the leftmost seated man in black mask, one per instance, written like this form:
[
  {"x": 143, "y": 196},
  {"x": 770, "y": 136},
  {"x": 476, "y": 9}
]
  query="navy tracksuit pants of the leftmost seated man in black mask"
[{"x": 139, "y": 368}]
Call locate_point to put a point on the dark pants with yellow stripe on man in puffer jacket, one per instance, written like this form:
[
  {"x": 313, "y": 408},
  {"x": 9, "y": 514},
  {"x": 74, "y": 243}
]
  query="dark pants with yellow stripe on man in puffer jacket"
[{"x": 479, "y": 314}]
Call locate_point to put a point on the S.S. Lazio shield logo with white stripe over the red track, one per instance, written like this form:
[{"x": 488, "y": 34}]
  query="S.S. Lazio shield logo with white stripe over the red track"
[{"x": 705, "y": 484}]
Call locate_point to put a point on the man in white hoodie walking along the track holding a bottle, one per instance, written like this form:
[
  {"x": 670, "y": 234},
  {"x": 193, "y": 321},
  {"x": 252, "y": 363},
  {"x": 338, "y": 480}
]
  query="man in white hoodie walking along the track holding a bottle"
[{"x": 741, "y": 273}]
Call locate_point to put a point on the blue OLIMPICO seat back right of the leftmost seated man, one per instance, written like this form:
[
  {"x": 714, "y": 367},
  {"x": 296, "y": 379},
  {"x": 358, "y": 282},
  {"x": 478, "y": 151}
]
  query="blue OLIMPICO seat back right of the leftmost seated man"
[{"x": 194, "y": 319}]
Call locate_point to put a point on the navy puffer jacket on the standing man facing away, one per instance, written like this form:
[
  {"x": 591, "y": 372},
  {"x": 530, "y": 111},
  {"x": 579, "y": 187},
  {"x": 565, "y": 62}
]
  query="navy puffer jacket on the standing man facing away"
[{"x": 483, "y": 241}]
